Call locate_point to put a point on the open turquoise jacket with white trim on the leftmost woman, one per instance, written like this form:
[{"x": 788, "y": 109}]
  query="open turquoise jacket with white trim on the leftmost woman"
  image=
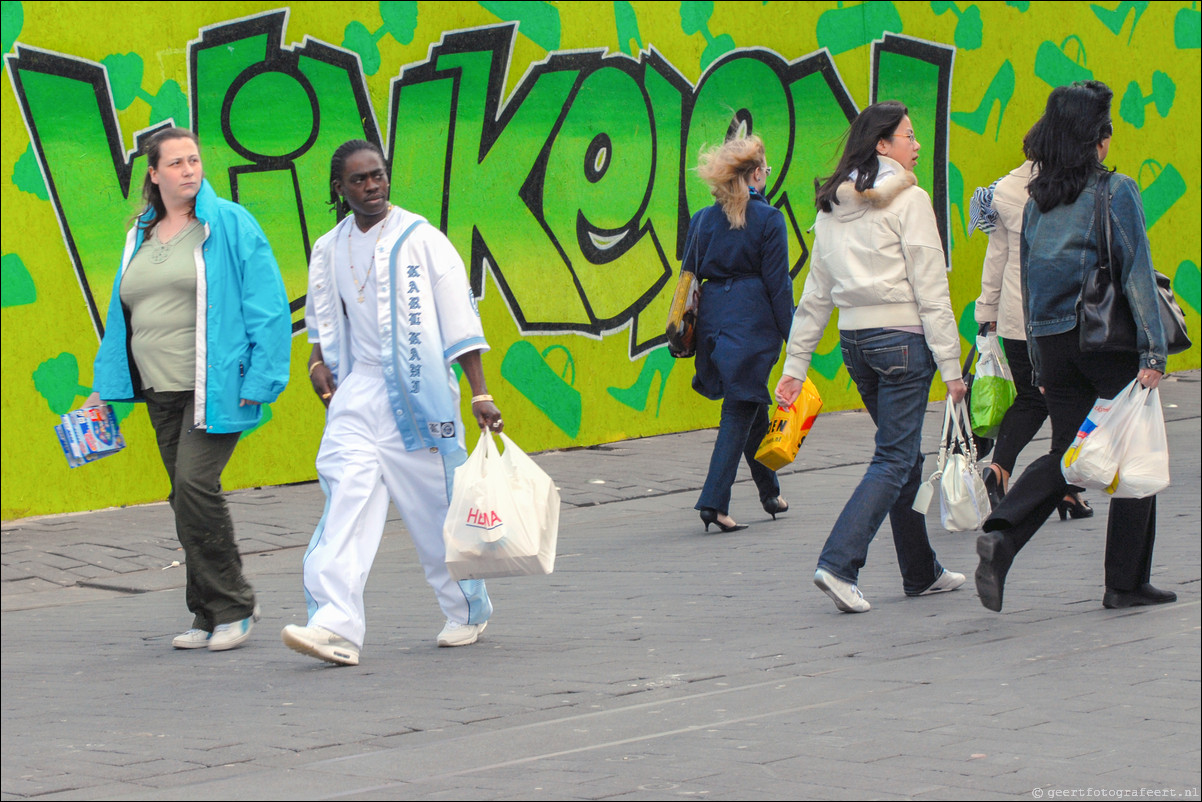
[{"x": 245, "y": 340}]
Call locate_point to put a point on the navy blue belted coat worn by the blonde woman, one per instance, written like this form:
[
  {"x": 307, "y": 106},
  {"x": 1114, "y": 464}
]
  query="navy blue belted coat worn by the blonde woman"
[{"x": 747, "y": 300}]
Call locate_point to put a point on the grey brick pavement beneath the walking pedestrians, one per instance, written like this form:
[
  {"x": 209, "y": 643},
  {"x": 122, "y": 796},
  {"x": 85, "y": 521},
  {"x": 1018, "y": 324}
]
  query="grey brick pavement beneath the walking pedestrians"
[{"x": 657, "y": 663}]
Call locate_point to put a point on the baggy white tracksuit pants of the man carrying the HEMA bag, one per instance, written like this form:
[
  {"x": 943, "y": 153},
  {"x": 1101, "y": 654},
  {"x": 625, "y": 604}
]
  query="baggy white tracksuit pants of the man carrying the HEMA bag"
[{"x": 361, "y": 464}]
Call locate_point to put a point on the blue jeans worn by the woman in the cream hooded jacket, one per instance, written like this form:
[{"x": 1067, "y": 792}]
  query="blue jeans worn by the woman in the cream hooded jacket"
[{"x": 892, "y": 371}]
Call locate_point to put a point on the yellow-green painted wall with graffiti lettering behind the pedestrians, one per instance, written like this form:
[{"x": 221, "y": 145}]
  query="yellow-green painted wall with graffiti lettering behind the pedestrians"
[{"x": 554, "y": 144}]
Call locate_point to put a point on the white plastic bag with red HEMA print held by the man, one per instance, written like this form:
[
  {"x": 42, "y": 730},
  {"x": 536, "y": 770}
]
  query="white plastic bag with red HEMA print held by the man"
[{"x": 504, "y": 515}]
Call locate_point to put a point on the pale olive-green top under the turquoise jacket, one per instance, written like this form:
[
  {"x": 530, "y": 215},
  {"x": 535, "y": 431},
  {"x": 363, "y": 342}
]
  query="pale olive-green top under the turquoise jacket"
[{"x": 159, "y": 292}]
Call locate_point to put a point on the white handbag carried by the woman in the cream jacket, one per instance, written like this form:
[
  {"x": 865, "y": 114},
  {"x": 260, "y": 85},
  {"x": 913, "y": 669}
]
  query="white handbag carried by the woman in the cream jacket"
[{"x": 963, "y": 502}]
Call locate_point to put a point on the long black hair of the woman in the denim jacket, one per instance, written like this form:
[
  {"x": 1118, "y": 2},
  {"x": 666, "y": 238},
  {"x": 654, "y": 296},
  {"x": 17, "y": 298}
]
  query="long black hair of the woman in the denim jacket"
[{"x": 1064, "y": 144}]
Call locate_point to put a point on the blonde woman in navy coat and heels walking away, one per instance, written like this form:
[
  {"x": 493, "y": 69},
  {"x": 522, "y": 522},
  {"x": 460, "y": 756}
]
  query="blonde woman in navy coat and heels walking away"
[{"x": 739, "y": 248}]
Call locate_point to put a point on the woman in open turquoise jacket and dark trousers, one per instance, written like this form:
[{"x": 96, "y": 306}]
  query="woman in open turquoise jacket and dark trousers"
[{"x": 204, "y": 377}]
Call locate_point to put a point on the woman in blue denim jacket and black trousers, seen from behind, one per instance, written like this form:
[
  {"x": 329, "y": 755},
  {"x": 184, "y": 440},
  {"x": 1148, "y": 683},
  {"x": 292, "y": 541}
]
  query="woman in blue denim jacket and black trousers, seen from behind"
[{"x": 1058, "y": 252}]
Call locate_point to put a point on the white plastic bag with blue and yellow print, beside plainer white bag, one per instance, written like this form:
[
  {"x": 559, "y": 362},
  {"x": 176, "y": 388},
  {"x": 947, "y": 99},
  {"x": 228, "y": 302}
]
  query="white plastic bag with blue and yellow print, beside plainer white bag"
[{"x": 1093, "y": 460}]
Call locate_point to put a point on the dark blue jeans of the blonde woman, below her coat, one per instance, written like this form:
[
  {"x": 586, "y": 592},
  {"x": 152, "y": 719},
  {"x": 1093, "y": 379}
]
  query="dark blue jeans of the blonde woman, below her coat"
[{"x": 741, "y": 431}]
